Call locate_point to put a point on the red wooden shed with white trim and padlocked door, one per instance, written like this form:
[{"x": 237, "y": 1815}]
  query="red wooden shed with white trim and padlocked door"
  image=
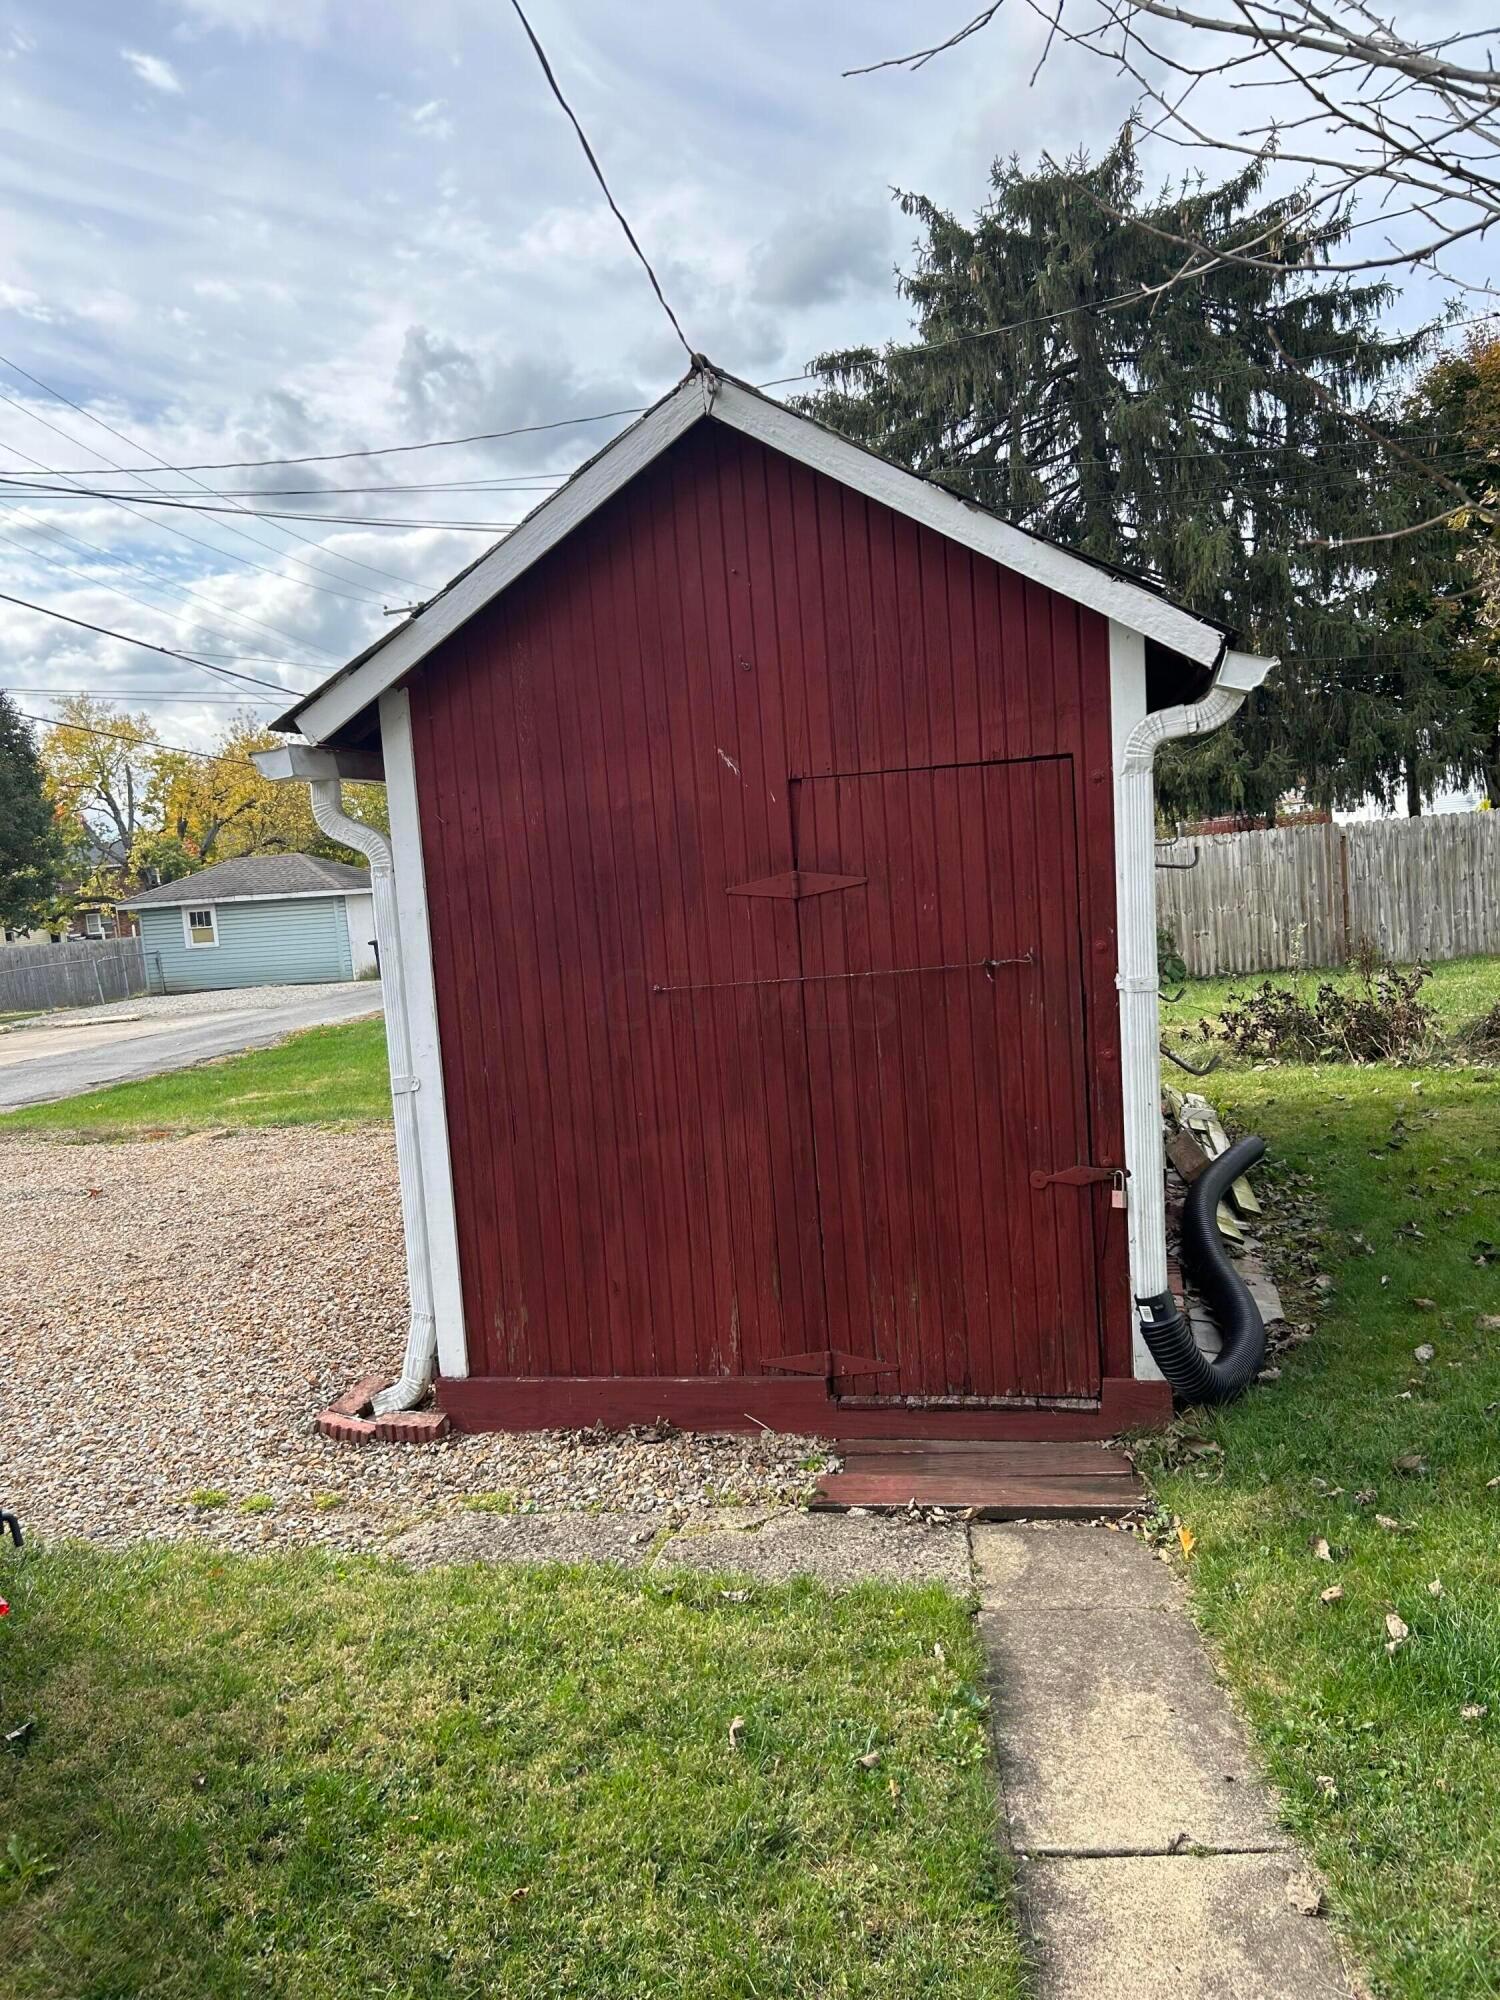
[{"x": 773, "y": 943}]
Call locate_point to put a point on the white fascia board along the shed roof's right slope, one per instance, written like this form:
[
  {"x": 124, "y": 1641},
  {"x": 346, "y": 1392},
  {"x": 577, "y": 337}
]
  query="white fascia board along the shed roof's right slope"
[{"x": 935, "y": 507}]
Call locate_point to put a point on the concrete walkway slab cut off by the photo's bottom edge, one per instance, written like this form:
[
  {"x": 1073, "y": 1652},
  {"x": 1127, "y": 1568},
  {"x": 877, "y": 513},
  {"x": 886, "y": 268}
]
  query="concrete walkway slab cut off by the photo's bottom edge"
[{"x": 1217, "y": 1927}]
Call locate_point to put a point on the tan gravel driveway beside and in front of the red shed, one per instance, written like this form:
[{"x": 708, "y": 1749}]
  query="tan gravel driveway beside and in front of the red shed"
[{"x": 175, "y": 1315}]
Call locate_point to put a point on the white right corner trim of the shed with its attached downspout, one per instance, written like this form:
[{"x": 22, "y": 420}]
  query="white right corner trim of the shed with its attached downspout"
[{"x": 1137, "y": 737}]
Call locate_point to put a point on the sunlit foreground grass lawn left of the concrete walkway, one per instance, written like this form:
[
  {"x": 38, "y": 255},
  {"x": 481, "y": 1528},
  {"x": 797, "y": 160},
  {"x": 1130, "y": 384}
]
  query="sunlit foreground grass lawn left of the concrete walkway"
[{"x": 309, "y": 1779}]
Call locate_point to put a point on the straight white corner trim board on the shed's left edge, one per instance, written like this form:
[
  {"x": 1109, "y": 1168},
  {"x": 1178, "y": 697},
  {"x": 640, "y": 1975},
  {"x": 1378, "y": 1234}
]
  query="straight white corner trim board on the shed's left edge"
[{"x": 423, "y": 1031}]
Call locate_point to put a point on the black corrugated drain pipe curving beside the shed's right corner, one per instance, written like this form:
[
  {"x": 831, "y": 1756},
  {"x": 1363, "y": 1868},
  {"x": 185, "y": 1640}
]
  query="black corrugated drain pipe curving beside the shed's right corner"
[{"x": 1197, "y": 1377}]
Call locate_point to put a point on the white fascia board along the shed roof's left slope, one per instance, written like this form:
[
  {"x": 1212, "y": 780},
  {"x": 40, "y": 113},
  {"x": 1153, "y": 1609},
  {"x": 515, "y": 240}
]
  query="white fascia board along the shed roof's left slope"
[{"x": 511, "y": 559}]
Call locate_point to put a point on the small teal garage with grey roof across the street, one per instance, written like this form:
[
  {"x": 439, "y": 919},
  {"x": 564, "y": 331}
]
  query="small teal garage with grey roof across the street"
[{"x": 259, "y": 921}]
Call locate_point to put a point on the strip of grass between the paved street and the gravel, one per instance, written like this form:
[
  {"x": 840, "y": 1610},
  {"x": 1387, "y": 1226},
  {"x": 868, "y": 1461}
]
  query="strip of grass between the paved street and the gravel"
[{"x": 319, "y": 1077}]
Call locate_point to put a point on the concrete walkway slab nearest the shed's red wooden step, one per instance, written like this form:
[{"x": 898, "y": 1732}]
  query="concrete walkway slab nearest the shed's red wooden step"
[{"x": 1115, "y": 1737}]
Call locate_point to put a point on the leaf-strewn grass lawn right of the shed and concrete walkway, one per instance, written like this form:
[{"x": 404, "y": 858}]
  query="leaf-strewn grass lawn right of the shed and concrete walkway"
[{"x": 1391, "y": 1783}]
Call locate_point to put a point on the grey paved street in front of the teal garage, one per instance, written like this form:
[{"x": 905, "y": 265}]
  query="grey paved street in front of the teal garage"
[{"x": 65, "y": 1055}]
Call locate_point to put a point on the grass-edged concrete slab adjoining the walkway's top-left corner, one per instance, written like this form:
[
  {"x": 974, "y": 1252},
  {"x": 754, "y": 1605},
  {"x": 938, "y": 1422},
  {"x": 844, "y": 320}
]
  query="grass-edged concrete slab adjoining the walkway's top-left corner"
[{"x": 835, "y": 1549}]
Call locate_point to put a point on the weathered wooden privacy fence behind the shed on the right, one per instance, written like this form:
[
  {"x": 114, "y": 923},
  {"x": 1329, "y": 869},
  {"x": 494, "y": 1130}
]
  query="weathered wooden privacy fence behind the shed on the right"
[{"x": 1307, "y": 895}]
